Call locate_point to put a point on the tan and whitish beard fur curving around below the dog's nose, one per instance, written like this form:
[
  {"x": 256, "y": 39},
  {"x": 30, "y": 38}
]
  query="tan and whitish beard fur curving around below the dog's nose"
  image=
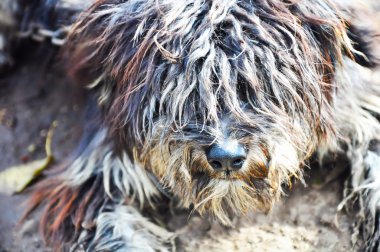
[{"x": 183, "y": 168}]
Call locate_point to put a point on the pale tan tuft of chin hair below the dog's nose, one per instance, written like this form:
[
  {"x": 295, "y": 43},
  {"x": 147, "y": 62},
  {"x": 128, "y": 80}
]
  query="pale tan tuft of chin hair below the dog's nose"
[{"x": 225, "y": 196}]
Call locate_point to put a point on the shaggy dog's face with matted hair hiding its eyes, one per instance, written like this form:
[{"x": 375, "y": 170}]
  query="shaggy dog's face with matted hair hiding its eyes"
[{"x": 222, "y": 101}]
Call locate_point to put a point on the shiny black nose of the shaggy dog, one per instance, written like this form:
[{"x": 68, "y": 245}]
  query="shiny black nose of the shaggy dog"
[{"x": 230, "y": 155}]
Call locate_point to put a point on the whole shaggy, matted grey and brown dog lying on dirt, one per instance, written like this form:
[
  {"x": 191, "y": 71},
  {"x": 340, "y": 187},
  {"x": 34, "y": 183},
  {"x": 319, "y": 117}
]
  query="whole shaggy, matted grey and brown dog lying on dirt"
[{"x": 215, "y": 104}]
